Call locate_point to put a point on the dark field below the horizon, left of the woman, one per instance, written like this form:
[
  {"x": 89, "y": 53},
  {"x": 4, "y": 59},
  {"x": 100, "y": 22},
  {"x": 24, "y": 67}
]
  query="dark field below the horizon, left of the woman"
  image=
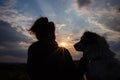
[{"x": 14, "y": 71}]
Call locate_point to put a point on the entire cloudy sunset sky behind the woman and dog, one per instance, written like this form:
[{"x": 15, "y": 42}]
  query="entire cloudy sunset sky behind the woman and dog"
[{"x": 71, "y": 18}]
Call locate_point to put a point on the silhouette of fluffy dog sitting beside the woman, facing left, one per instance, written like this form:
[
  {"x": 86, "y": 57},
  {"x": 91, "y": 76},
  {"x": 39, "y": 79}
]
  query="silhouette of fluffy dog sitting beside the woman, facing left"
[{"x": 101, "y": 62}]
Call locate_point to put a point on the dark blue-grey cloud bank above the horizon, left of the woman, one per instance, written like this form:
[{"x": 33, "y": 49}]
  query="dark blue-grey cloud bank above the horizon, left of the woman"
[{"x": 9, "y": 41}]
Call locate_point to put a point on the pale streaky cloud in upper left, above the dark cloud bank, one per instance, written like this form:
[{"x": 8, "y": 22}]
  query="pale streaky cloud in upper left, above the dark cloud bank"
[{"x": 19, "y": 21}]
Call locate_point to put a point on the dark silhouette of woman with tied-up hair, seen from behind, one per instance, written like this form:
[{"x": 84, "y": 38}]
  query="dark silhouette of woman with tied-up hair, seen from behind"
[{"x": 45, "y": 59}]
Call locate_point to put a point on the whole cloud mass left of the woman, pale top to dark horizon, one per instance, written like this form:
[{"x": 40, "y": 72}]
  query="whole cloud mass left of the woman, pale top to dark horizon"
[{"x": 15, "y": 38}]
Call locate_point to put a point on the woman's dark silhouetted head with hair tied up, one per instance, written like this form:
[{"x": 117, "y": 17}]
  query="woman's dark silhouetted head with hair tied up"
[{"x": 43, "y": 29}]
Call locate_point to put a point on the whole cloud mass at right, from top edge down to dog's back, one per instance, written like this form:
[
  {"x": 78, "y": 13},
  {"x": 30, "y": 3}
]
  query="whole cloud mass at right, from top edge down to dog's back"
[{"x": 102, "y": 17}]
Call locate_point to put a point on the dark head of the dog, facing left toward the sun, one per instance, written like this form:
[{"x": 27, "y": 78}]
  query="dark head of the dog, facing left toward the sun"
[{"x": 91, "y": 44}]
